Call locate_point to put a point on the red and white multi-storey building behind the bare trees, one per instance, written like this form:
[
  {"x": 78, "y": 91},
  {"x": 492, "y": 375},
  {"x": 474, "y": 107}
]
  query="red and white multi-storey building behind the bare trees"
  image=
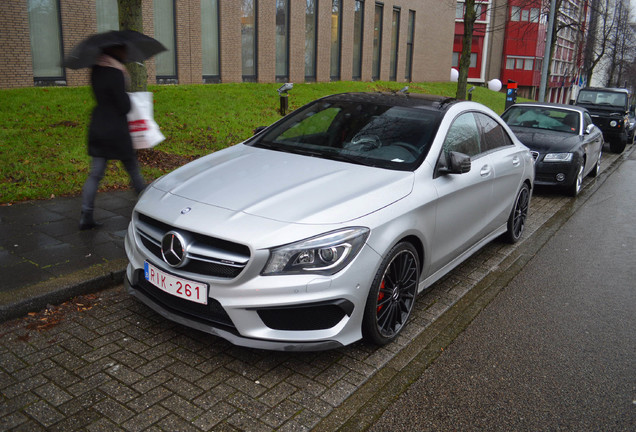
[{"x": 509, "y": 44}]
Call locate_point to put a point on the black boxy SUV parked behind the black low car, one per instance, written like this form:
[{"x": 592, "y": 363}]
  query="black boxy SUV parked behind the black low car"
[{"x": 608, "y": 108}]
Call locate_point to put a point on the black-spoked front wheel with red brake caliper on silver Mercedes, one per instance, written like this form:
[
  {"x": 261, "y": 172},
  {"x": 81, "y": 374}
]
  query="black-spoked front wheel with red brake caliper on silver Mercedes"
[{"x": 392, "y": 295}]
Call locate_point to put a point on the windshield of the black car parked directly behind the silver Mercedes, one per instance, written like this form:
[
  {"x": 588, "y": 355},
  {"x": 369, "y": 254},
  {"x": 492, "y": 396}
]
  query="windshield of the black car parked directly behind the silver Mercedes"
[{"x": 553, "y": 119}]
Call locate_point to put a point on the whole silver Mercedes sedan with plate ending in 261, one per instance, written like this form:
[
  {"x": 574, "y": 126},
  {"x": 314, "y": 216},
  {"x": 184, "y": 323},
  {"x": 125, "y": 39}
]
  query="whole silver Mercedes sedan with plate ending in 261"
[{"x": 322, "y": 228}]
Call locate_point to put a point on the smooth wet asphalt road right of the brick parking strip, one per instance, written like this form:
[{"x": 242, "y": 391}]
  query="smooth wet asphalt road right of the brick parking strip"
[{"x": 556, "y": 349}]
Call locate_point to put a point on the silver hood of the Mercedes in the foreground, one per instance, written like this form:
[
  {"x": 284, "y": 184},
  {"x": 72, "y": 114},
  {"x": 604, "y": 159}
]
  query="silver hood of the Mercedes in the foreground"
[{"x": 287, "y": 187}]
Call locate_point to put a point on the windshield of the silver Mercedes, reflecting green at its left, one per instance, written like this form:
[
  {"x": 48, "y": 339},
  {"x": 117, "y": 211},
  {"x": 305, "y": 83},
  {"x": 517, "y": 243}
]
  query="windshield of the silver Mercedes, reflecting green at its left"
[{"x": 359, "y": 132}]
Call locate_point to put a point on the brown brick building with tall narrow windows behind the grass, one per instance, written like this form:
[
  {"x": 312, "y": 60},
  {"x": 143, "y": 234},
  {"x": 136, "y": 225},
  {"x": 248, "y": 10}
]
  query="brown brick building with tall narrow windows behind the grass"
[{"x": 212, "y": 41}]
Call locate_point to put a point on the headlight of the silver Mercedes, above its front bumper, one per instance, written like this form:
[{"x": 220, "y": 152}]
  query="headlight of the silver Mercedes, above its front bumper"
[{"x": 325, "y": 254}]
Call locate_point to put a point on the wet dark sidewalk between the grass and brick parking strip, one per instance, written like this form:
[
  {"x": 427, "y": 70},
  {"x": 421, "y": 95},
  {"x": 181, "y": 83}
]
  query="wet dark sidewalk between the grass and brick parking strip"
[{"x": 45, "y": 259}]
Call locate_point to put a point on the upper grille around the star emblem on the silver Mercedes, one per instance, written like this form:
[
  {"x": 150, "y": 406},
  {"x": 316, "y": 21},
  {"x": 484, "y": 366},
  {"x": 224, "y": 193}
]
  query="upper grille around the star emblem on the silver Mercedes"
[{"x": 207, "y": 256}]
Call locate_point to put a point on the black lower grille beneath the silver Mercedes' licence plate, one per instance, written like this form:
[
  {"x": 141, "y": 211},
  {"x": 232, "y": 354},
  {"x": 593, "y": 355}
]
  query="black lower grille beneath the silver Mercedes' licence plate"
[{"x": 211, "y": 314}]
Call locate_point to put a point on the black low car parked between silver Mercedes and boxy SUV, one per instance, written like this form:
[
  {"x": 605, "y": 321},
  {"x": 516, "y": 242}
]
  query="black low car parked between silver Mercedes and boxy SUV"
[{"x": 564, "y": 142}]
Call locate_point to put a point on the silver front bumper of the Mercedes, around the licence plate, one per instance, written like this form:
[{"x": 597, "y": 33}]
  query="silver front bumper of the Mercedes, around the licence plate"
[{"x": 287, "y": 313}]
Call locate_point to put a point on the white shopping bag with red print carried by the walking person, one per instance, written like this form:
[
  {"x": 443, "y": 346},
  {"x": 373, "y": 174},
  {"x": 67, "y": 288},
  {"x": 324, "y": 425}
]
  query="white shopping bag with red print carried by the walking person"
[{"x": 144, "y": 130}]
